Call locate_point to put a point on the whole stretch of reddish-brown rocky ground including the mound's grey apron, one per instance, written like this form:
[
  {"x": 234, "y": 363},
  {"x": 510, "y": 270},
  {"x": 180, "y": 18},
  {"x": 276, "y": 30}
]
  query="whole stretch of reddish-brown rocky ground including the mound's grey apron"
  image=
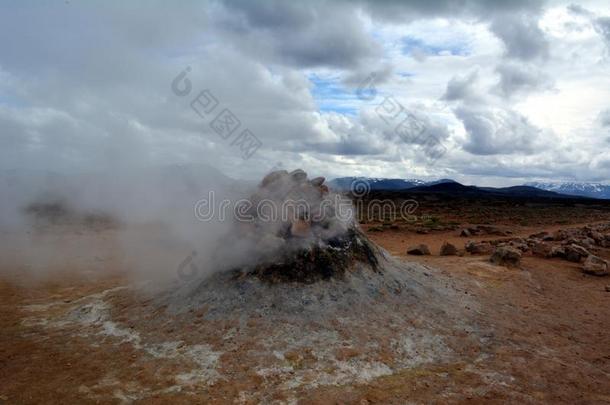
[{"x": 459, "y": 305}]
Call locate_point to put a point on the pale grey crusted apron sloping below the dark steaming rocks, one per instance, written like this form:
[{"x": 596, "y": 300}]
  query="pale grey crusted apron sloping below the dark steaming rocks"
[{"x": 234, "y": 329}]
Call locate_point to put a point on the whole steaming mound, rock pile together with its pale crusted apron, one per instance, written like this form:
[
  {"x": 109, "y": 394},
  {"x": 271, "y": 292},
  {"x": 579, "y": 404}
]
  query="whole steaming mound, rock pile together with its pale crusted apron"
[{"x": 315, "y": 305}]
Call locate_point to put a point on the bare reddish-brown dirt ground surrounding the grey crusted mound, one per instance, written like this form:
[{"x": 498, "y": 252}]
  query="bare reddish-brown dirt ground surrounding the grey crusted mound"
[{"x": 550, "y": 322}]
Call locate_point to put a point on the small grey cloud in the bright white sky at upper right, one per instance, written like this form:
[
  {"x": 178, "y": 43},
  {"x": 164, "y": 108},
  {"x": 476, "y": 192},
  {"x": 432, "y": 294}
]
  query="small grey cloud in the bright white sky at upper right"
[{"x": 520, "y": 78}]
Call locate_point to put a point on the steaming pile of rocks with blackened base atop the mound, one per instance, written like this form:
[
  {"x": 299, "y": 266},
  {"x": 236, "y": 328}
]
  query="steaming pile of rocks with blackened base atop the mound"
[{"x": 302, "y": 232}]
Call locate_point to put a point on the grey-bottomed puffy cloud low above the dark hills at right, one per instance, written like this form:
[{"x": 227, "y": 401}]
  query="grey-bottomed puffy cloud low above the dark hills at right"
[{"x": 493, "y": 131}]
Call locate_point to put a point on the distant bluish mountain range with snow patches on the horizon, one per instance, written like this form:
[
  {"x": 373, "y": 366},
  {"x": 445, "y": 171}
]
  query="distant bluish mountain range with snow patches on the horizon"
[{"x": 567, "y": 190}]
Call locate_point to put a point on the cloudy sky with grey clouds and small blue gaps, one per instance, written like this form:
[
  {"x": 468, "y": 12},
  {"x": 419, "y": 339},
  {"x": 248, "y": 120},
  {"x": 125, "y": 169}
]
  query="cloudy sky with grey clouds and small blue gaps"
[{"x": 486, "y": 92}]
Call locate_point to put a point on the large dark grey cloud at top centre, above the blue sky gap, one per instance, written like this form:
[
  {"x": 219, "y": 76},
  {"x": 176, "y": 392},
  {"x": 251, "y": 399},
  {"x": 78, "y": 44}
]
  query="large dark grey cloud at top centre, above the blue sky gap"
[{"x": 303, "y": 34}]
